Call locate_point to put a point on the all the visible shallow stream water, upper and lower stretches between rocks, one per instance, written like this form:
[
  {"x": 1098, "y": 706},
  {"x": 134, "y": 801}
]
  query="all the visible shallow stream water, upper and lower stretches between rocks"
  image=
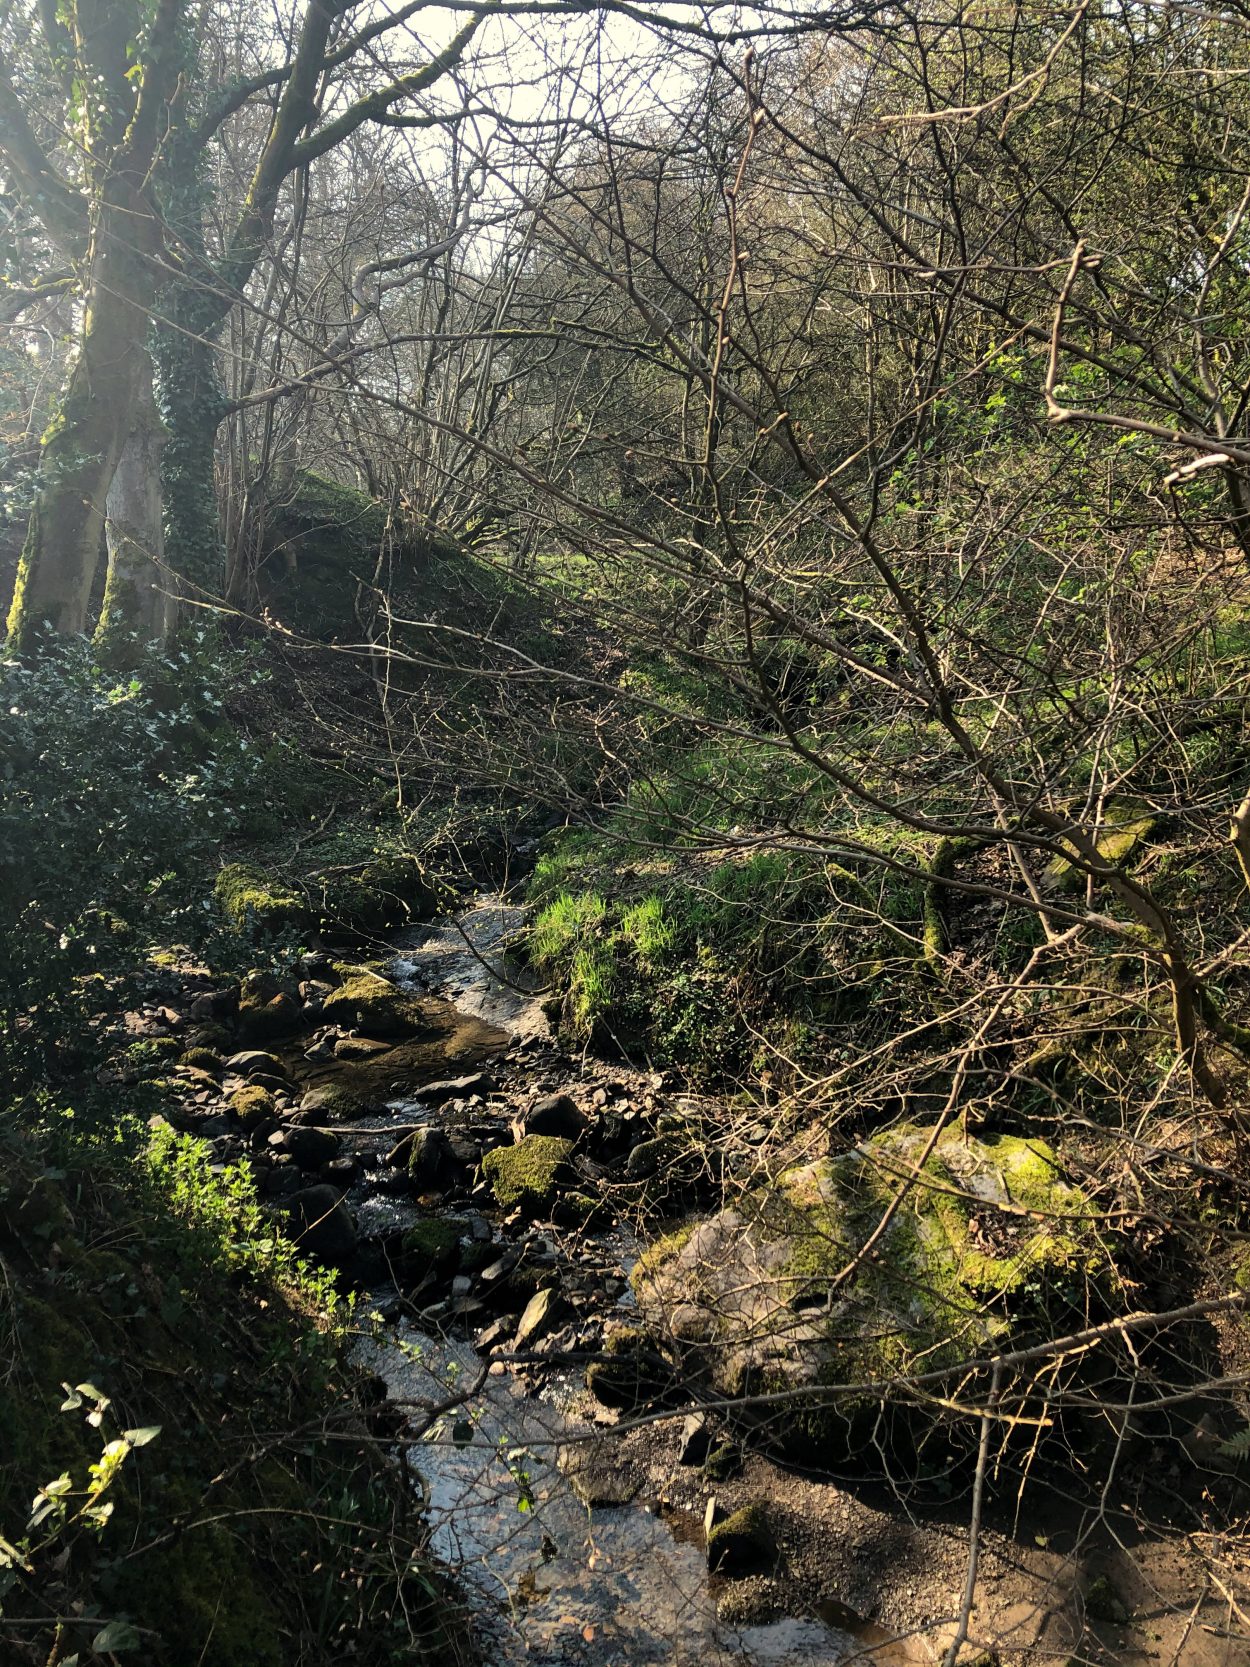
[{"x": 554, "y": 1581}]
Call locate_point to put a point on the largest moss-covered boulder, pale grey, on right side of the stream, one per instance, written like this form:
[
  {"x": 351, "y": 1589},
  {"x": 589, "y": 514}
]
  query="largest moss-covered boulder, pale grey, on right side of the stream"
[{"x": 852, "y": 1276}]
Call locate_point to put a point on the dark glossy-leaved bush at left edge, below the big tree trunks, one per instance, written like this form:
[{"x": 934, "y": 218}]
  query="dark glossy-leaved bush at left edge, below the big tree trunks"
[{"x": 114, "y": 799}]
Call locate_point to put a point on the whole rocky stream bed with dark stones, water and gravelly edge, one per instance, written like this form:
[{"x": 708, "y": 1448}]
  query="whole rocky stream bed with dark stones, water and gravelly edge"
[{"x": 416, "y": 1126}]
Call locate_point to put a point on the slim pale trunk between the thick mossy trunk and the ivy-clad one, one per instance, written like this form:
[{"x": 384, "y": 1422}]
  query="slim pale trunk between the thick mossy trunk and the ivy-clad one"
[{"x": 141, "y": 601}]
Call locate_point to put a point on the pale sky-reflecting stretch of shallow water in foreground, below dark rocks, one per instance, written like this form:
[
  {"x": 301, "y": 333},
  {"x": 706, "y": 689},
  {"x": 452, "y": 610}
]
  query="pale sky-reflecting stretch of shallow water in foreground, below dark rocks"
[{"x": 562, "y": 1584}]
